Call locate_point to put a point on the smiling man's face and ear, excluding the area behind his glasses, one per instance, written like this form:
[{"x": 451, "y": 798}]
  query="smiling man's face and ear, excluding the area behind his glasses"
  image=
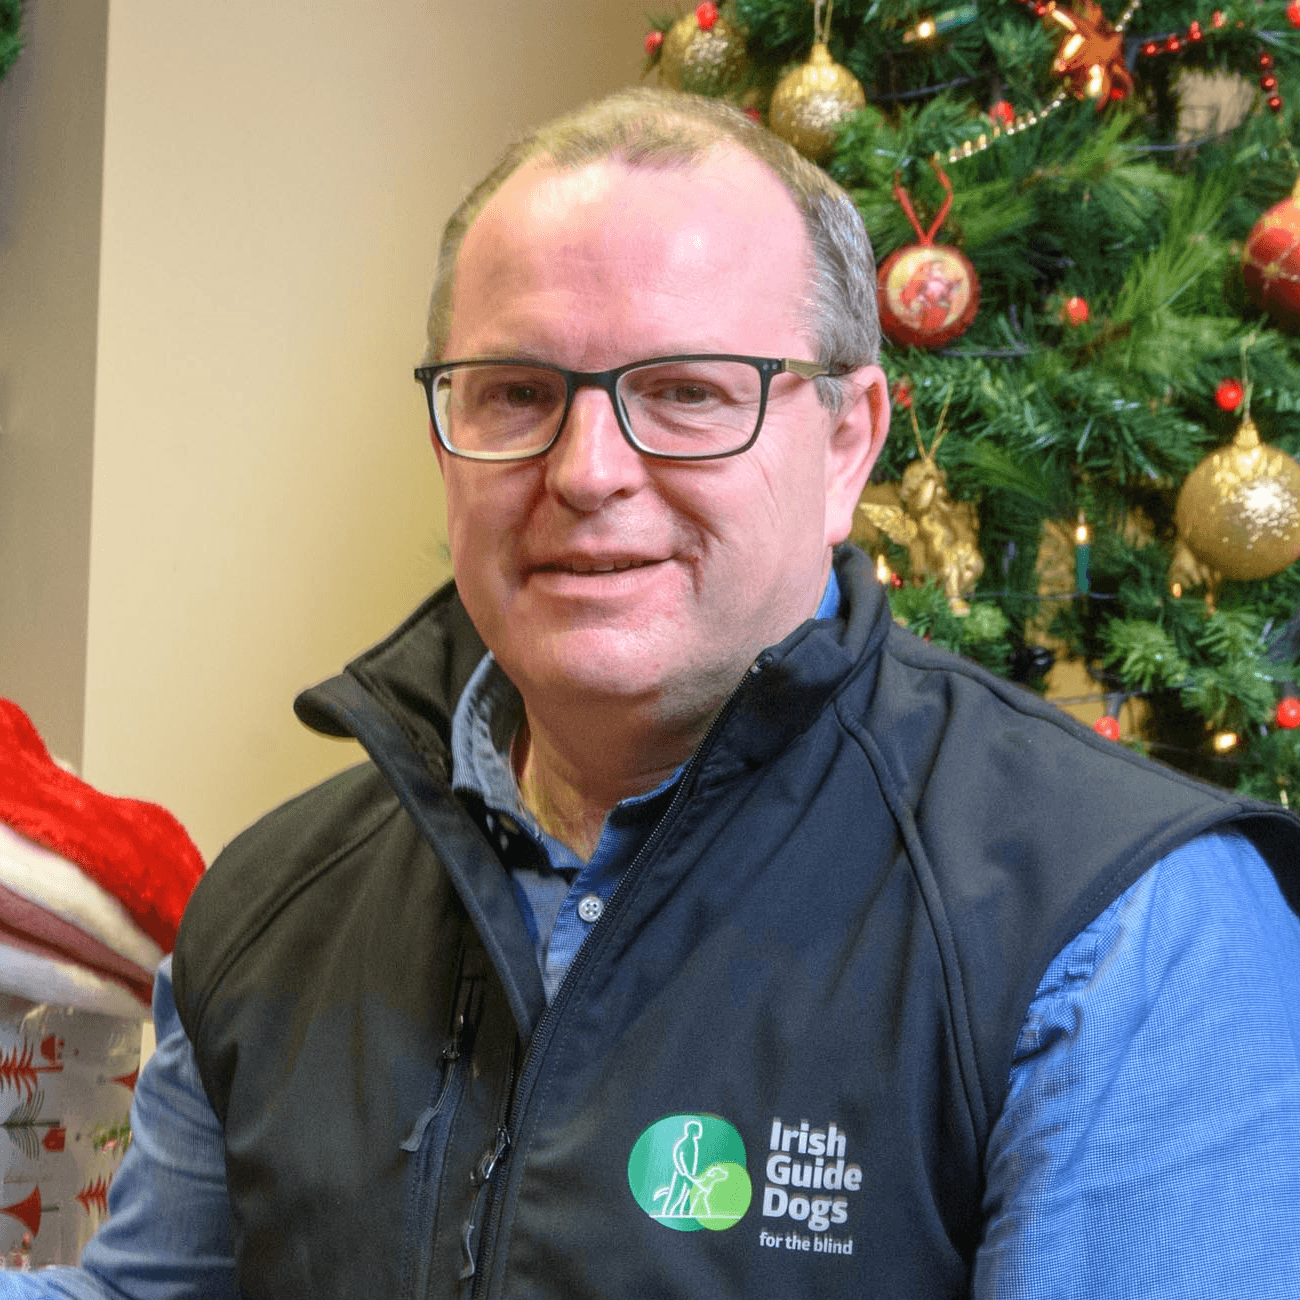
[{"x": 595, "y": 573}]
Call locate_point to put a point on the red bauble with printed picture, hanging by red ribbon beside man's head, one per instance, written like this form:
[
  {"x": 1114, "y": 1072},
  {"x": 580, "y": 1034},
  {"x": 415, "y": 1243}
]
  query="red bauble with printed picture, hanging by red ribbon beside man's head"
[{"x": 929, "y": 293}]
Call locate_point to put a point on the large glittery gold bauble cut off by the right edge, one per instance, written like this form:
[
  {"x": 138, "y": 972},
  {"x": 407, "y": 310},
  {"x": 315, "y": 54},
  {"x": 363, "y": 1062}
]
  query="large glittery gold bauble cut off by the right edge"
[{"x": 1240, "y": 510}]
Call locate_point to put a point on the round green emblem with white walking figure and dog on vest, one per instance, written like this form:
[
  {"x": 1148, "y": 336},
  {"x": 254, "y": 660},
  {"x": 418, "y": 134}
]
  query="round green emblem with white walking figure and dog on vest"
[{"x": 688, "y": 1172}]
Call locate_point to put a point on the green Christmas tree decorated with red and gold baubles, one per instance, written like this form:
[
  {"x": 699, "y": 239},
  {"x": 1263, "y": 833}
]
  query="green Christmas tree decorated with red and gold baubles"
[{"x": 1091, "y": 288}]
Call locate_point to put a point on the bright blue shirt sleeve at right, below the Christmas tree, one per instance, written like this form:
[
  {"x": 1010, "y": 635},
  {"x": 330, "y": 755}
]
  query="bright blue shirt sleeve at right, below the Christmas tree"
[{"x": 1151, "y": 1141}]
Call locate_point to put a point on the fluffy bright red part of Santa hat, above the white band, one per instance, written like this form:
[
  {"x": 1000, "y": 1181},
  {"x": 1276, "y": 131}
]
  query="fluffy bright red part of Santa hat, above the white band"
[{"x": 135, "y": 851}]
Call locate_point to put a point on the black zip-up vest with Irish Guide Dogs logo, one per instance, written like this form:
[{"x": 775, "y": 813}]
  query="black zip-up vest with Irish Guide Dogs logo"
[{"x": 774, "y": 1067}]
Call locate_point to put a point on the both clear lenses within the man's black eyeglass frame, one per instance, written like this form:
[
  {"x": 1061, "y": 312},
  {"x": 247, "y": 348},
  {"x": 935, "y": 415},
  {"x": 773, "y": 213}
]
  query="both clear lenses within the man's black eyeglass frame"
[{"x": 677, "y": 409}]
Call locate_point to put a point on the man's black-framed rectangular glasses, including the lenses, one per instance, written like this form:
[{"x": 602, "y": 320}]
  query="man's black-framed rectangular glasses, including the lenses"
[{"x": 696, "y": 408}]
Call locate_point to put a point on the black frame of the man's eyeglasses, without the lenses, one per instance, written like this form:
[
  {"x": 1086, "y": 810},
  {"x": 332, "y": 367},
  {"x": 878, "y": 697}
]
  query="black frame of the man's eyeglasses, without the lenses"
[{"x": 768, "y": 369}]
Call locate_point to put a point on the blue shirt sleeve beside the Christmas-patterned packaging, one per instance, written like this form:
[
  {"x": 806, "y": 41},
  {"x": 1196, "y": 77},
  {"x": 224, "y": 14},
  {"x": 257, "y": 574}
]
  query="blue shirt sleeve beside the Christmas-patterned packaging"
[{"x": 168, "y": 1236}]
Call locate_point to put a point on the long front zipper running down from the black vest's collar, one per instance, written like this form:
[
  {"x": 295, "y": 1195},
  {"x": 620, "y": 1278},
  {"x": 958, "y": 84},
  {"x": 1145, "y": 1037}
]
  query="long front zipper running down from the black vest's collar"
[{"x": 525, "y": 1076}]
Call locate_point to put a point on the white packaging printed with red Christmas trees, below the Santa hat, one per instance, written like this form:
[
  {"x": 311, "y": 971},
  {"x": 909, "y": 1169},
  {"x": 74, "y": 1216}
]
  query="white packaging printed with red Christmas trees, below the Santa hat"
[{"x": 67, "y": 1080}]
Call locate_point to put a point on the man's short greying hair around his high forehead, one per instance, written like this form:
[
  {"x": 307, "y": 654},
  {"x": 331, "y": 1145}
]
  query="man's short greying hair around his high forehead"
[{"x": 669, "y": 131}]
